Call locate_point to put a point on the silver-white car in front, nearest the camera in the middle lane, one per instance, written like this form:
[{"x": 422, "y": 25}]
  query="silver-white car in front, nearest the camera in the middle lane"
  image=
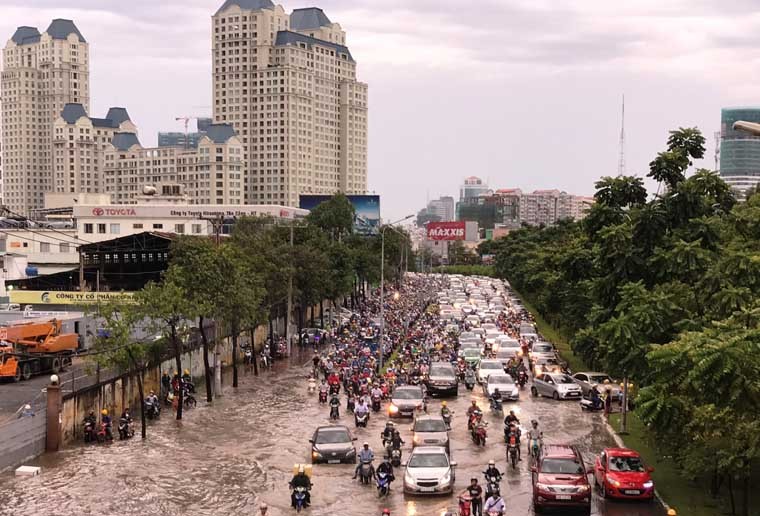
[{"x": 429, "y": 471}]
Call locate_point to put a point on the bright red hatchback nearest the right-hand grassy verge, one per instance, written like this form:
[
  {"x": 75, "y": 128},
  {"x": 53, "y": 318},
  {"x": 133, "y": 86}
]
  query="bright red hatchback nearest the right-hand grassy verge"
[{"x": 620, "y": 473}]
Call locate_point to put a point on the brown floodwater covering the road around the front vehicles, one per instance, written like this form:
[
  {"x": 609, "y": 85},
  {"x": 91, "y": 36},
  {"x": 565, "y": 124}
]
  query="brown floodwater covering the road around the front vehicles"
[{"x": 227, "y": 458}]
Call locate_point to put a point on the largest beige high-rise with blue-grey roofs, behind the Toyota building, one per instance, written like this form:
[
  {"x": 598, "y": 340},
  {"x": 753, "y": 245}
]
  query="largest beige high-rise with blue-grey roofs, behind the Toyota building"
[{"x": 287, "y": 84}]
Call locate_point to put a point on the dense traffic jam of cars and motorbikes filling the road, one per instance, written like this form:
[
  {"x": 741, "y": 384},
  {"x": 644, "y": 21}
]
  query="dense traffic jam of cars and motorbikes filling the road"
[{"x": 458, "y": 406}]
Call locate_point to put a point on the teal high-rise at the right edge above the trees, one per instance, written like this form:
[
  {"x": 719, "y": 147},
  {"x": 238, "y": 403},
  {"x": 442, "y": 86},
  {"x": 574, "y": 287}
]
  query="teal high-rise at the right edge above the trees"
[{"x": 739, "y": 151}]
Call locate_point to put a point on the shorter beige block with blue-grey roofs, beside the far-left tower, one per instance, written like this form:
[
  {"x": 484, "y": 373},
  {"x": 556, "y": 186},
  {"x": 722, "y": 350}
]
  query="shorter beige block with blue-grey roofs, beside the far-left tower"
[{"x": 79, "y": 145}]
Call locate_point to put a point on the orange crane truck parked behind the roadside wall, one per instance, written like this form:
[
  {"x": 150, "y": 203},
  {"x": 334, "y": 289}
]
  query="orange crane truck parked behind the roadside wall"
[{"x": 37, "y": 347}]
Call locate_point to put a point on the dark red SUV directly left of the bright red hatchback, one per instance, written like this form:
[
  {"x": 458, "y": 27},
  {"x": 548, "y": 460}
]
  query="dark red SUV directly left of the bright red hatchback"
[{"x": 560, "y": 480}]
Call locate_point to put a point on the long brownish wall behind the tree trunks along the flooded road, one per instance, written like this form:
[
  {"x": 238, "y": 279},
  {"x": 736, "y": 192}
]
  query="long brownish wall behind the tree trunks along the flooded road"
[{"x": 117, "y": 393}]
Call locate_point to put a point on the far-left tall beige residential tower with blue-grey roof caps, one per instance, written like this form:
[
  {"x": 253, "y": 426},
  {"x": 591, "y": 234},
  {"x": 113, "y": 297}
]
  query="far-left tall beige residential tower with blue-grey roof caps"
[{"x": 41, "y": 74}]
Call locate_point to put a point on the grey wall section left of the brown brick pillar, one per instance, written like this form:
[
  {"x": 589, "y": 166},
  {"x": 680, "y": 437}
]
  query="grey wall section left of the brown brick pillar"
[{"x": 23, "y": 439}]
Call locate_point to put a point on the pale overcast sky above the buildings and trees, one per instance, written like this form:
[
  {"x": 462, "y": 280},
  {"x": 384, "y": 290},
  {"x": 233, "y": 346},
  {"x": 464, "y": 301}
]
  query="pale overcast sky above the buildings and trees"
[{"x": 524, "y": 93}]
